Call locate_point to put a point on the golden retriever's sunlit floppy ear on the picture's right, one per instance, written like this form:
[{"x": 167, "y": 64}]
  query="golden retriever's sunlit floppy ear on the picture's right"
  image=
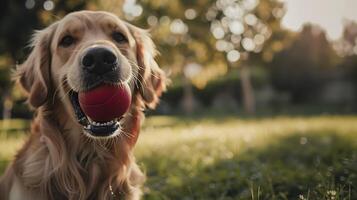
[{"x": 152, "y": 80}]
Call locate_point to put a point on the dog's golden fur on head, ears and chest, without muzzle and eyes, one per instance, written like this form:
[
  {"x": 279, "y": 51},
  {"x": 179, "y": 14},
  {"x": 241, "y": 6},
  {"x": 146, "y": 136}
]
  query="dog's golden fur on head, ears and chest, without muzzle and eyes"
[{"x": 59, "y": 161}]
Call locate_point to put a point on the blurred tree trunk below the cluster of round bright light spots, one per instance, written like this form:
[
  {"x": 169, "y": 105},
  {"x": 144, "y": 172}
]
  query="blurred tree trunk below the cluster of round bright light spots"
[{"x": 247, "y": 90}]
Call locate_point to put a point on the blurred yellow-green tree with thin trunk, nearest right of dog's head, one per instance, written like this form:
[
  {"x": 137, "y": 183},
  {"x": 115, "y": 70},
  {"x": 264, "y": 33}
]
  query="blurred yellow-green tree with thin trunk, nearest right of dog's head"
[{"x": 181, "y": 32}]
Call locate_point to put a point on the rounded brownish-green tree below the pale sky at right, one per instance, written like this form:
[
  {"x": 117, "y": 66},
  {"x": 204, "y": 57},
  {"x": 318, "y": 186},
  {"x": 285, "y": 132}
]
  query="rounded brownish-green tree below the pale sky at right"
[{"x": 304, "y": 67}]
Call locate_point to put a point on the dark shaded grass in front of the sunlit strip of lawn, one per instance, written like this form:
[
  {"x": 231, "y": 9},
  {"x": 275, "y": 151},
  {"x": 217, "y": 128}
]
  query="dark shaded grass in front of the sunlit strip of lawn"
[{"x": 313, "y": 166}]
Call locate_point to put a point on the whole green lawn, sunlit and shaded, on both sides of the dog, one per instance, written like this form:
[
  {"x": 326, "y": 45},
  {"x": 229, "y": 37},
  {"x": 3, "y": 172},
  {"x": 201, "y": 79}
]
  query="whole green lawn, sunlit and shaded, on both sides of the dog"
[{"x": 250, "y": 158}]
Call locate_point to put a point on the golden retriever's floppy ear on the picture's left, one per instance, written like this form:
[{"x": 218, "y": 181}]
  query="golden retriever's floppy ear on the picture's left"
[{"x": 34, "y": 73}]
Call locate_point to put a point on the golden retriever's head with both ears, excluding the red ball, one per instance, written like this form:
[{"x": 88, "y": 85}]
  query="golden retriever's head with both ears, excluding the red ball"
[{"x": 86, "y": 49}]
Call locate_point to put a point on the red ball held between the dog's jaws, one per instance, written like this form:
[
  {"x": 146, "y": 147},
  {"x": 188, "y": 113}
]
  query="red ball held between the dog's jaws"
[{"x": 106, "y": 102}]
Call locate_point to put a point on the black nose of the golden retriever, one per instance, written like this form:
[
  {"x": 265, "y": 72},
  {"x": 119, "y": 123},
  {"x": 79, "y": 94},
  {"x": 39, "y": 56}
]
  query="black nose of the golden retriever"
[{"x": 99, "y": 60}]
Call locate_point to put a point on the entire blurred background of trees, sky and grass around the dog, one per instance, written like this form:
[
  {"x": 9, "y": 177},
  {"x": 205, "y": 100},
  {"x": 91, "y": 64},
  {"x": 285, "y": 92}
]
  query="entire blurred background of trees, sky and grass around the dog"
[{"x": 262, "y": 99}]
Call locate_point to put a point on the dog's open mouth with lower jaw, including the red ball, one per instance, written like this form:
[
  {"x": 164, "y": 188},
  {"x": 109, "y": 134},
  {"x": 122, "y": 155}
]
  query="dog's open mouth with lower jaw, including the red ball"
[{"x": 100, "y": 109}]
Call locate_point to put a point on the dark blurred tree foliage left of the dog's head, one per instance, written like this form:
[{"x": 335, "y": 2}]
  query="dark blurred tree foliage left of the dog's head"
[{"x": 19, "y": 19}]
